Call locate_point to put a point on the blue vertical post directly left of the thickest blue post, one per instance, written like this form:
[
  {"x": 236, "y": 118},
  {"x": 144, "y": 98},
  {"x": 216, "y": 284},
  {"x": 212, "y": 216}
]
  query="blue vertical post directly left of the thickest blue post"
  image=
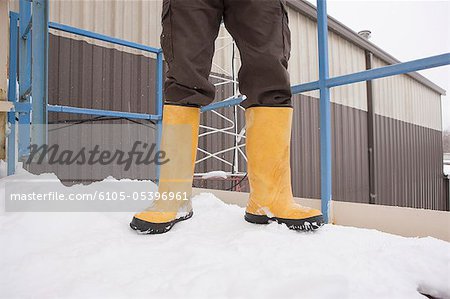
[{"x": 24, "y": 75}]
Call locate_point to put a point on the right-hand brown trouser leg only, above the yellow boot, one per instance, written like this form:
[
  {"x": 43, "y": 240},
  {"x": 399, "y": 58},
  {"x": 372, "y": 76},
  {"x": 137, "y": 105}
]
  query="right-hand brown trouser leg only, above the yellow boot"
[{"x": 260, "y": 28}]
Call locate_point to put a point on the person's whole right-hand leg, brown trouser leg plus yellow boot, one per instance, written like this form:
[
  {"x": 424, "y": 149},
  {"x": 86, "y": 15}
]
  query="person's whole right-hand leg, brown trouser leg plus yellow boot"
[{"x": 261, "y": 30}]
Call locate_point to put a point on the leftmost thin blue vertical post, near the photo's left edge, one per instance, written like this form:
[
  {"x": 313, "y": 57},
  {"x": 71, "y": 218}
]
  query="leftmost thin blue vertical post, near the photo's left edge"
[{"x": 12, "y": 95}]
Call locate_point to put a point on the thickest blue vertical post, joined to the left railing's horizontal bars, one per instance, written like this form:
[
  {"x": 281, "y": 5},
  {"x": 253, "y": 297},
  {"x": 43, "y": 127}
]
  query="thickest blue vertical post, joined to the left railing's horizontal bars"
[{"x": 39, "y": 74}]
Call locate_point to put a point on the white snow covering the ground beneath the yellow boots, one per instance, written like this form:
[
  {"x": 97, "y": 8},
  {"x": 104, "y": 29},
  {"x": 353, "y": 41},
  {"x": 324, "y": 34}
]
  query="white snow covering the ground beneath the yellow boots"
[{"x": 216, "y": 254}]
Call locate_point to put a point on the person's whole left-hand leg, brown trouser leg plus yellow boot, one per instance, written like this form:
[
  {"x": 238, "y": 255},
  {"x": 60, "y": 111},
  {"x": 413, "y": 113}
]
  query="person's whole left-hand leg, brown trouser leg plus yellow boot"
[{"x": 190, "y": 28}]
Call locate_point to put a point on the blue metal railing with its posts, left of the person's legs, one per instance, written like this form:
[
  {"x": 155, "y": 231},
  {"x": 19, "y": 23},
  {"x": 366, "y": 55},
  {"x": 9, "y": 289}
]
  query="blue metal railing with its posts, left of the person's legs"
[{"x": 20, "y": 32}]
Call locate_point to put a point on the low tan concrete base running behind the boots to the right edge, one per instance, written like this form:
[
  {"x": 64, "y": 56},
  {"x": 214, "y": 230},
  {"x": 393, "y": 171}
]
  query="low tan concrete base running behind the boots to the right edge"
[{"x": 405, "y": 222}]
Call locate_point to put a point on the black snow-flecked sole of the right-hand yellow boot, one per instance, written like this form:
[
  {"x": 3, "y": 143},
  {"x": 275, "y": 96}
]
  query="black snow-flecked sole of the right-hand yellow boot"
[{"x": 307, "y": 224}]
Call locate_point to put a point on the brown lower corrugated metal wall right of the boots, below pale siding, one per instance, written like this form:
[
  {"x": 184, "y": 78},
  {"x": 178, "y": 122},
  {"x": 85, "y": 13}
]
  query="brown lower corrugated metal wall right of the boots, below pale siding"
[{"x": 408, "y": 158}]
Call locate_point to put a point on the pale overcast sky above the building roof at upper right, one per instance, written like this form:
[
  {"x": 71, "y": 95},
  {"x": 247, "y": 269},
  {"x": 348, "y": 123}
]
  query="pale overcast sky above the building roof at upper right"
[{"x": 407, "y": 30}]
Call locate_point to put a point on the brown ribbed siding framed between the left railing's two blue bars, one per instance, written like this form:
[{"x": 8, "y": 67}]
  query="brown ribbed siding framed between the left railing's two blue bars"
[{"x": 86, "y": 75}]
